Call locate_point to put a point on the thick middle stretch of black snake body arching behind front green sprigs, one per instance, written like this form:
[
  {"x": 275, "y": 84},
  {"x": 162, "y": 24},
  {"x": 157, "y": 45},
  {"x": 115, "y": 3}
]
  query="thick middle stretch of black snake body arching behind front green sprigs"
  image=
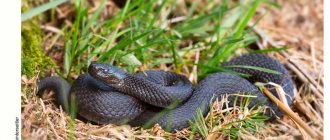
[{"x": 206, "y": 91}]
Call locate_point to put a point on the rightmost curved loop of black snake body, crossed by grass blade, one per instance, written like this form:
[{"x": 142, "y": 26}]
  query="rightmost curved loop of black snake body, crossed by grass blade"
[{"x": 258, "y": 76}]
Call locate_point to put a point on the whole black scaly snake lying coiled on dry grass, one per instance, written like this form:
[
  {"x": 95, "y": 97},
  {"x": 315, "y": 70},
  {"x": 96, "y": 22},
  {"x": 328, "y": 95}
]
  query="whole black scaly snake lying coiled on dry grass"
[{"x": 107, "y": 94}]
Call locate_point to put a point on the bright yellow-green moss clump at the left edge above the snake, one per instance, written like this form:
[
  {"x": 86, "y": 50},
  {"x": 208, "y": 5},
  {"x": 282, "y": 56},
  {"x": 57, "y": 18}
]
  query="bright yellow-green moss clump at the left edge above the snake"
[{"x": 33, "y": 58}]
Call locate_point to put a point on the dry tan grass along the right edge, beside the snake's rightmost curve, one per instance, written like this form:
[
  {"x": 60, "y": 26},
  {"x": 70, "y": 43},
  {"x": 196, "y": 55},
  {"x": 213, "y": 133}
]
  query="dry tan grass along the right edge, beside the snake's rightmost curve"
[{"x": 299, "y": 24}]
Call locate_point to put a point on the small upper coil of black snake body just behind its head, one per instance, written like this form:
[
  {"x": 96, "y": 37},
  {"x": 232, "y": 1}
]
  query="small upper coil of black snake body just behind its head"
[{"x": 172, "y": 88}]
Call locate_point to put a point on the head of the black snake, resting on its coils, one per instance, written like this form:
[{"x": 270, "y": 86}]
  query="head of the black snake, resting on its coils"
[{"x": 108, "y": 74}]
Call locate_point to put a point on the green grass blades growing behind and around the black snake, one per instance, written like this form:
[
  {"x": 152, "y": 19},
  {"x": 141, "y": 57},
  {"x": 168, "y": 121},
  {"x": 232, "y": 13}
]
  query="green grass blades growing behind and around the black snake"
[{"x": 141, "y": 35}]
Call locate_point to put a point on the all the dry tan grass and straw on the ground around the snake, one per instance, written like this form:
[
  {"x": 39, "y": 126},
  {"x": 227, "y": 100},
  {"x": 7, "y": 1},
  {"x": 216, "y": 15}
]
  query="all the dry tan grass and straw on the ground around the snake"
[{"x": 297, "y": 24}]
